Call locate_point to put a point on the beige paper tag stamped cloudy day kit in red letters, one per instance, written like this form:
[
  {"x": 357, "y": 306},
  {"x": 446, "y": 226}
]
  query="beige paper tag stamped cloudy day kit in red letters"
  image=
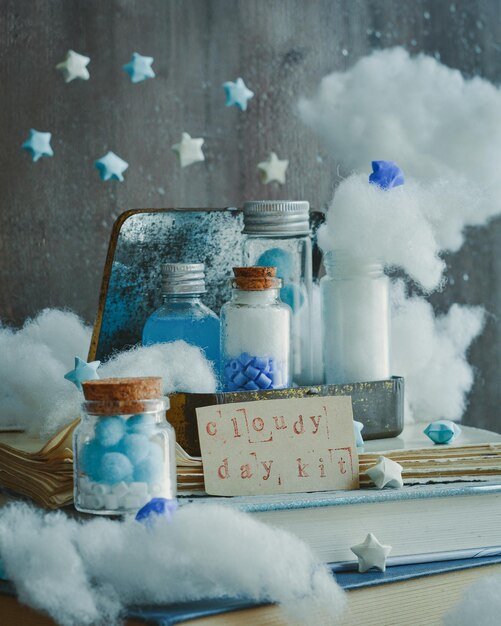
[{"x": 278, "y": 446}]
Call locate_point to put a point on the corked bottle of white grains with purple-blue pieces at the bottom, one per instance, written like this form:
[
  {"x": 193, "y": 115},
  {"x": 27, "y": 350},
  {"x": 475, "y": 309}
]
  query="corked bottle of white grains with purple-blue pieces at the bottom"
[{"x": 255, "y": 333}]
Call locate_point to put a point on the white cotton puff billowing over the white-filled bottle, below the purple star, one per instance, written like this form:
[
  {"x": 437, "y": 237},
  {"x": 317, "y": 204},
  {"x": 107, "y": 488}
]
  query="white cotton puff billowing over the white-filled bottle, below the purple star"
[{"x": 386, "y": 225}]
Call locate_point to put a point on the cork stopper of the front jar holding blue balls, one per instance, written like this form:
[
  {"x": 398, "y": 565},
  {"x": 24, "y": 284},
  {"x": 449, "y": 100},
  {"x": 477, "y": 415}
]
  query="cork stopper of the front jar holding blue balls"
[{"x": 112, "y": 396}]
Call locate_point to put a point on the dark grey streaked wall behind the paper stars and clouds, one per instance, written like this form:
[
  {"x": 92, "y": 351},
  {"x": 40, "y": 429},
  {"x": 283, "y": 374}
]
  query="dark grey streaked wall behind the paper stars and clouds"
[{"x": 56, "y": 215}]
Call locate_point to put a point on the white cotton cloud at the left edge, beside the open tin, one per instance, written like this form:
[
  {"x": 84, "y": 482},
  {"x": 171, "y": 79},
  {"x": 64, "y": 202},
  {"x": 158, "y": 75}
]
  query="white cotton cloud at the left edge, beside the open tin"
[{"x": 33, "y": 363}]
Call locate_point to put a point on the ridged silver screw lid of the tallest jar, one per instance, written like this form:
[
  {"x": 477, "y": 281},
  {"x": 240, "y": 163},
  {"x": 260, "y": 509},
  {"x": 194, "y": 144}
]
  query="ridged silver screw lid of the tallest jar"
[{"x": 270, "y": 218}]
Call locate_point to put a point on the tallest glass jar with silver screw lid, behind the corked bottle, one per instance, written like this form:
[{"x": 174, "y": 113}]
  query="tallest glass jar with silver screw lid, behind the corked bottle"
[{"x": 278, "y": 234}]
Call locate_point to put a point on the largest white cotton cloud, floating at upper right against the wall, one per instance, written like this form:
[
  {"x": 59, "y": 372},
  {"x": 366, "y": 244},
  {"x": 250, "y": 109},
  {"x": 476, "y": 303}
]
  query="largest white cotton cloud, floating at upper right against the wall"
[{"x": 438, "y": 126}]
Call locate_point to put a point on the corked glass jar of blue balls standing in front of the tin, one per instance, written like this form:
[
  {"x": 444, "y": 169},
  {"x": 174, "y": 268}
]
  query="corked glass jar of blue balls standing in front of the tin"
[{"x": 124, "y": 449}]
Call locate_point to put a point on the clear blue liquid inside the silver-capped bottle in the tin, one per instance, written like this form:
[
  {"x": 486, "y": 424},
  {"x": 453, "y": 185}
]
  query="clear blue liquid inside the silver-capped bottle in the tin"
[{"x": 203, "y": 332}]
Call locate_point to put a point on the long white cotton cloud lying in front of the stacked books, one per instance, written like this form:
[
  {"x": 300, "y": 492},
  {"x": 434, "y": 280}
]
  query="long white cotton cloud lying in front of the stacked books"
[{"x": 88, "y": 572}]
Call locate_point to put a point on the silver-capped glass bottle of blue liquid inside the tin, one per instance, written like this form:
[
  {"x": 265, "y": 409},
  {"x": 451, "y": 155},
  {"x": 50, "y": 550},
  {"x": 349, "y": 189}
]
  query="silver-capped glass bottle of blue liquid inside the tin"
[{"x": 183, "y": 314}]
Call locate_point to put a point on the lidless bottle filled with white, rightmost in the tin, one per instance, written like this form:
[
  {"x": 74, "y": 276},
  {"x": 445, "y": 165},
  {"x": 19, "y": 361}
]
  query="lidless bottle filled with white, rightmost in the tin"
[{"x": 356, "y": 319}]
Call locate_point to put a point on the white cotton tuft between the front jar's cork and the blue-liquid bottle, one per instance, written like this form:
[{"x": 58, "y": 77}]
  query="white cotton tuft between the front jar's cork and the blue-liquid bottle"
[{"x": 183, "y": 367}]
